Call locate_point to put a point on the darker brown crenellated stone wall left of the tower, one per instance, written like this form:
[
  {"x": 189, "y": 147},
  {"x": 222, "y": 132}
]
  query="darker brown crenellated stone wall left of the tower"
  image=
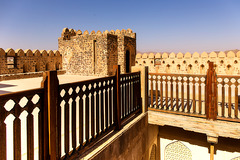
[{"x": 19, "y": 61}]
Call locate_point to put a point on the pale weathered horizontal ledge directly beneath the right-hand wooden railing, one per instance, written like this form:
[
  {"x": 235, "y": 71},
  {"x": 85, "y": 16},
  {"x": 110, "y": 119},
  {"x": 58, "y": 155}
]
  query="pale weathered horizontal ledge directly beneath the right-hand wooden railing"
[{"x": 211, "y": 128}]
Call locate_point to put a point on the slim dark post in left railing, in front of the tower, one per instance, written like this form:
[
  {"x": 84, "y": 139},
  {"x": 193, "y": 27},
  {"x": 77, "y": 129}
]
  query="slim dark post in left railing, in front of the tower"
[{"x": 116, "y": 68}]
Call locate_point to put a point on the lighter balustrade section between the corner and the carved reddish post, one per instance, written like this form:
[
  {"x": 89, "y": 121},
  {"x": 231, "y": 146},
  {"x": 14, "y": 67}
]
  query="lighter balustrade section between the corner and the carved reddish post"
[{"x": 177, "y": 93}]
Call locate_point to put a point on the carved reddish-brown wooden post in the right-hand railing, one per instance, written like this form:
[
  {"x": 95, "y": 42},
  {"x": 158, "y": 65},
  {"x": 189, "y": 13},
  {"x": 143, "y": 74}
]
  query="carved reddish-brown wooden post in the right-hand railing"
[{"x": 211, "y": 93}]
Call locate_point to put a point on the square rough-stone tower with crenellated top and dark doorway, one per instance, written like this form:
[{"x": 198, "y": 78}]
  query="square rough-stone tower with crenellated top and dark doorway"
[{"x": 96, "y": 53}]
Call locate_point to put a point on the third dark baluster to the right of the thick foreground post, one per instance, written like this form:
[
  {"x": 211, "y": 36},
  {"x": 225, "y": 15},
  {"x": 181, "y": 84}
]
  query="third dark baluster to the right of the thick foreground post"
[{"x": 81, "y": 120}]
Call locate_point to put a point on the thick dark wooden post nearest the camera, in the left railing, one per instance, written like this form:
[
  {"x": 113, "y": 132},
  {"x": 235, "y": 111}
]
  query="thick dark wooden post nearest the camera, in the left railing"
[{"x": 50, "y": 83}]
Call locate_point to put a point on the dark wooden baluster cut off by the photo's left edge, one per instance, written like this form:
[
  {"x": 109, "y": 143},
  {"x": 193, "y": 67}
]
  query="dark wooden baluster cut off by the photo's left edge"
[{"x": 3, "y": 141}]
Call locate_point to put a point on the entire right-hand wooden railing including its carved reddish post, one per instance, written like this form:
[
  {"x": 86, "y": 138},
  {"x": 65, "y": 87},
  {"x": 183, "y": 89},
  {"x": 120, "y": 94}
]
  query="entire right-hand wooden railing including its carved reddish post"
[{"x": 195, "y": 95}]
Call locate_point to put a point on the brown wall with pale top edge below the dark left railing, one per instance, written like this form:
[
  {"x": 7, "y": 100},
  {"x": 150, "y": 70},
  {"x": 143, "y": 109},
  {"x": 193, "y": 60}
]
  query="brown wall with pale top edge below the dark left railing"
[{"x": 133, "y": 142}]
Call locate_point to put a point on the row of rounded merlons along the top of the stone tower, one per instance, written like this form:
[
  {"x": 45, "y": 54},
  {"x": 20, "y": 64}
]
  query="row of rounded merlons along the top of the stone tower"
[{"x": 67, "y": 34}]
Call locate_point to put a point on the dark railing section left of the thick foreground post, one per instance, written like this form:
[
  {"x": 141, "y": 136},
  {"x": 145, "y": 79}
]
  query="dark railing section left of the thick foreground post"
[{"x": 15, "y": 108}]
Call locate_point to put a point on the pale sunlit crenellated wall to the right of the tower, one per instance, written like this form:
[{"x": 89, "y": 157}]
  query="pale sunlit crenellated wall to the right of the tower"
[{"x": 226, "y": 62}]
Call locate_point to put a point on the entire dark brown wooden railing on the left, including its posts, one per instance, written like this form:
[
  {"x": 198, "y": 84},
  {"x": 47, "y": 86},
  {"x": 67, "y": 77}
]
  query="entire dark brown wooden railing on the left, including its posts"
[{"x": 70, "y": 118}]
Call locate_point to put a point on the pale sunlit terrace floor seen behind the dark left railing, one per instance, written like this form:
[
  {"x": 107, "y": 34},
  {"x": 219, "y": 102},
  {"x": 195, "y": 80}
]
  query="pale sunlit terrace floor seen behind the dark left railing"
[{"x": 31, "y": 83}]
